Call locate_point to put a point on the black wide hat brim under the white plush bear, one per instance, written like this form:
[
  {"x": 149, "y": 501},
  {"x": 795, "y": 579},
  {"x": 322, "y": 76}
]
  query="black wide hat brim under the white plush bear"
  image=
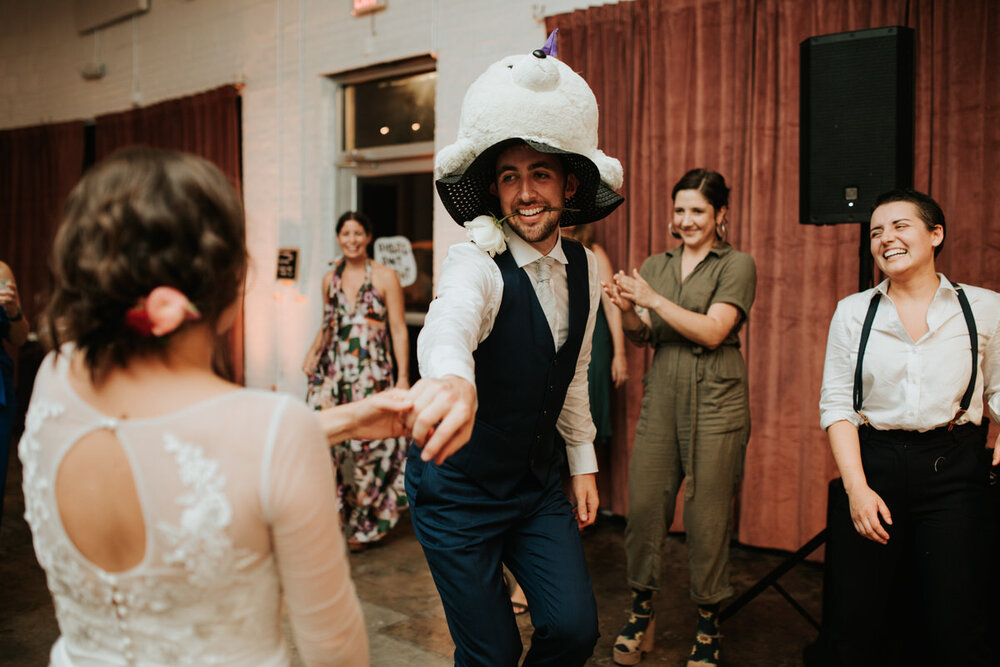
[{"x": 467, "y": 195}]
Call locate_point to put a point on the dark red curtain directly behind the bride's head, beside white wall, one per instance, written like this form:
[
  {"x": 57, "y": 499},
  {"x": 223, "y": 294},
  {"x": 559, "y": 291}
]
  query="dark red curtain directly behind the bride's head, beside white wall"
[{"x": 206, "y": 124}]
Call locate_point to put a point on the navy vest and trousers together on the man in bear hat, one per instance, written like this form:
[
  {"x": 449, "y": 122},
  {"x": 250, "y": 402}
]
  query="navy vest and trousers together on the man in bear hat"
[{"x": 499, "y": 499}]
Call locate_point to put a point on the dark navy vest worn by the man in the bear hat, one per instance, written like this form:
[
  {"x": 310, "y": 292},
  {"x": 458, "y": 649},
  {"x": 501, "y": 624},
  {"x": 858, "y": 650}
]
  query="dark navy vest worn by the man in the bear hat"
[{"x": 521, "y": 380}]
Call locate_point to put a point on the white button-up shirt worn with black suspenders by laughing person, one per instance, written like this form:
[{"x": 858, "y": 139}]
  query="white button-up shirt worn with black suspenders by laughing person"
[{"x": 916, "y": 386}]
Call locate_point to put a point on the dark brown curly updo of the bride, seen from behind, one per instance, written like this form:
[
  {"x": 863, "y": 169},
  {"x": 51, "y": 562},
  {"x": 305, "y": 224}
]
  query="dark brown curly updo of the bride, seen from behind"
[{"x": 142, "y": 218}]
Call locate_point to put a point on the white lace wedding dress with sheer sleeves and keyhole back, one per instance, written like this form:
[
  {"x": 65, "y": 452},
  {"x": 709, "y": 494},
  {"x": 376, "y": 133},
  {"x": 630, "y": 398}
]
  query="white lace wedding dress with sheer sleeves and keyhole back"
[{"x": 239, "y": 504}]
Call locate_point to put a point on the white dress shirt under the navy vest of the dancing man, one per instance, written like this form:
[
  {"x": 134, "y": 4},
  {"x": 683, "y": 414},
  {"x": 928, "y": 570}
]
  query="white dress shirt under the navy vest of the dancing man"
[{"x": 462, "y": 315}]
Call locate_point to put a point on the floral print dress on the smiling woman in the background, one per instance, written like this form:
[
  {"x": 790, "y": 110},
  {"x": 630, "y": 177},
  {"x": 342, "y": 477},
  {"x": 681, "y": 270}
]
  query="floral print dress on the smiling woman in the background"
[{"x": 353, "y": 363}]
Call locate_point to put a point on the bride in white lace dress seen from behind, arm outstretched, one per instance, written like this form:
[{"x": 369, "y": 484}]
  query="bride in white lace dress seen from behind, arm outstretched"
[{"x": 171, "y": 509}]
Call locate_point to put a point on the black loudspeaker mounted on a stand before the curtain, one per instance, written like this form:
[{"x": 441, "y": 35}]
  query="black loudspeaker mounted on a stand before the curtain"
[{"x": 856, "y": 122}]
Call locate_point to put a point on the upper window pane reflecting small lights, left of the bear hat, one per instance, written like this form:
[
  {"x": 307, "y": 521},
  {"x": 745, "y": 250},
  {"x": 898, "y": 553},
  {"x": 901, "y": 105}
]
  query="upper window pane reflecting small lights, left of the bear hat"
[{"x": 394, "y": 111}]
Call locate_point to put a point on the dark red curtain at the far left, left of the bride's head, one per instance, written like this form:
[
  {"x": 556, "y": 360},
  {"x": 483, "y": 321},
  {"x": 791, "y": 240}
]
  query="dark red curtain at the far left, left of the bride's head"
[{"x": 38, "y": 168}]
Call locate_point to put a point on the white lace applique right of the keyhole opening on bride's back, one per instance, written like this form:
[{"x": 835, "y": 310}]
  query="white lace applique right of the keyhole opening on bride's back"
[{"x": 200, "y": 543}]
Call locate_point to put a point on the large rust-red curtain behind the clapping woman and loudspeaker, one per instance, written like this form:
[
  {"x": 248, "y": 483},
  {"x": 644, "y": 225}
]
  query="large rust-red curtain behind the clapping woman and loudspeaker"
[{"x": 689, "y": 83}]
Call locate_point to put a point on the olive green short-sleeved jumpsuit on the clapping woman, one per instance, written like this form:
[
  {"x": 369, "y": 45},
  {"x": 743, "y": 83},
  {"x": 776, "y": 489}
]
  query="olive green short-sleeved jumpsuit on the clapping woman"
[{"x": 694, "y": 425}]
